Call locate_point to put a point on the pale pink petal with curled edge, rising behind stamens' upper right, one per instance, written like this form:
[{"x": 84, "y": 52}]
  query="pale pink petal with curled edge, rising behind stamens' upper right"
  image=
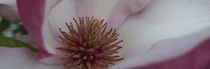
[{"x": 124, "y": 9}]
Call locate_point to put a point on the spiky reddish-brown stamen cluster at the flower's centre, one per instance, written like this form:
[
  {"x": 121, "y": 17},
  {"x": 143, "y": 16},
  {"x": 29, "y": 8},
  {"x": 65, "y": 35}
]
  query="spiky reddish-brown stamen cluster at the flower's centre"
[{"x": 89, "y": 44}]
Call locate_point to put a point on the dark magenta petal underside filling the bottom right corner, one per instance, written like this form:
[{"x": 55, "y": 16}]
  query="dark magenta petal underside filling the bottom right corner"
[{"x": 197, "y": 59}]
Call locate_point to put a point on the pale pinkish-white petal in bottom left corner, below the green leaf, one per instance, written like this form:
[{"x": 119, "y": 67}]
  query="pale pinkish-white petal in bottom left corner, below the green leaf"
[{"x": 21, "y": 58}]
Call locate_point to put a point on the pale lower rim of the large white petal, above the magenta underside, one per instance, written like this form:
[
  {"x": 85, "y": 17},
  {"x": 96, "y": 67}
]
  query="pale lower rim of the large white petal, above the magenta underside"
[{"x": 166, "y": 50}]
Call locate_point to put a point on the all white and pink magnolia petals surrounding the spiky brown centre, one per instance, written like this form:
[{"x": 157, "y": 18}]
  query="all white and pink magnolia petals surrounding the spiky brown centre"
[{"x": 153, "y": 31}]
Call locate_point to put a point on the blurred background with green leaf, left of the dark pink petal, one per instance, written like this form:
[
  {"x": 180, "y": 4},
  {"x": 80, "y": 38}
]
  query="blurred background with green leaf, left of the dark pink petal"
[{"x": 12, "y": 32}]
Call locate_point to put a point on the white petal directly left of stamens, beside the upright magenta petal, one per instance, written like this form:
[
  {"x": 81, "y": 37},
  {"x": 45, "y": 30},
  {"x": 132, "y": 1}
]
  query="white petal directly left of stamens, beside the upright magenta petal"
[{"x": 56, "y": 18}]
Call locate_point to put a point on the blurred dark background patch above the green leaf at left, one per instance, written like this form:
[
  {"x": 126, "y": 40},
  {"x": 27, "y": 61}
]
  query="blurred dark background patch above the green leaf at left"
[{"x": 10, "y": 25}]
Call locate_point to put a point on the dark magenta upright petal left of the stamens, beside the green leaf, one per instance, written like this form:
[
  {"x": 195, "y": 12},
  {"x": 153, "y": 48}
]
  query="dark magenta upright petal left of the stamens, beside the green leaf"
[{"x": 32, "y": 14}]
